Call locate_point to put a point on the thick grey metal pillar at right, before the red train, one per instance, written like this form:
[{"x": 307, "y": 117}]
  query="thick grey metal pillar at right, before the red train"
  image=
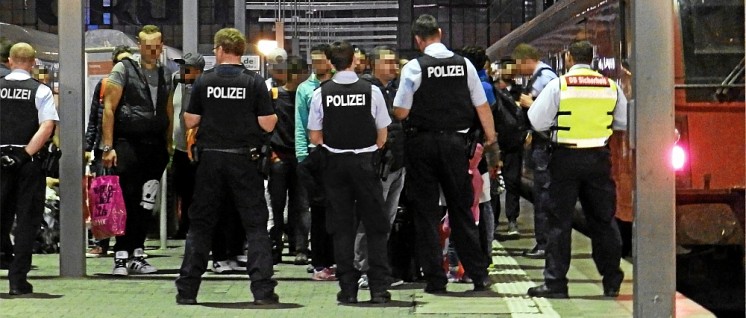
[{"x": 655, "y": 218}]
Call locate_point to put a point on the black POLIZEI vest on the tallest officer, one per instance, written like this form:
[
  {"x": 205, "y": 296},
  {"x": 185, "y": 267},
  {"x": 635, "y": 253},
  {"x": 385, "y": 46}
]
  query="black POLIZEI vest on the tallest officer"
[{"x": 443, "y": 100}]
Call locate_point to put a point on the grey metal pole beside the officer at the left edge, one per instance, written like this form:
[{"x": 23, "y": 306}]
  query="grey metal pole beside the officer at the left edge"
[{"x": 72, "y": 234}]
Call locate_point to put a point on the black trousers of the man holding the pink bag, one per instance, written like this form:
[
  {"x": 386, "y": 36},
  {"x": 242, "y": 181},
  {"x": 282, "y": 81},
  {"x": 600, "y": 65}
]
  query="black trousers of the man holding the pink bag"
[{"x": 137, "y": 163}]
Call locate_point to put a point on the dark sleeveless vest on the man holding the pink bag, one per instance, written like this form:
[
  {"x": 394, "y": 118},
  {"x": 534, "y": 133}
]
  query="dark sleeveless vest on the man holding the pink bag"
[{"x": 136, "y": 116}]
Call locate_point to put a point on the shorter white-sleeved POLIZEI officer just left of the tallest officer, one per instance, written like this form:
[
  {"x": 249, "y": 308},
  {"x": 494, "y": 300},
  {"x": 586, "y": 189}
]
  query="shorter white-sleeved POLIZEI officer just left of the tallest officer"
[{"x": 349, "y": 118}]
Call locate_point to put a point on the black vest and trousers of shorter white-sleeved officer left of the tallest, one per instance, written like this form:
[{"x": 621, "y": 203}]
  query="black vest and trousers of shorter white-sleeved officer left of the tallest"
[{"x": 351, "y": 180}]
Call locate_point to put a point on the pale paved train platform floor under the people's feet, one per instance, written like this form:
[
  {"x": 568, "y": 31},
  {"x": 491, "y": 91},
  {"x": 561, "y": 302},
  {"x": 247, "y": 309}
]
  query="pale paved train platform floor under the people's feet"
[{"x": 227, "y": 295}]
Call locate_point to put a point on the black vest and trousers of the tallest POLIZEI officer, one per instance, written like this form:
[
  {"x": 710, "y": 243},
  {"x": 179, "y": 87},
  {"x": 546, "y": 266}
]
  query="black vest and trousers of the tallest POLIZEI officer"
[{"x": 436, "y": 155}]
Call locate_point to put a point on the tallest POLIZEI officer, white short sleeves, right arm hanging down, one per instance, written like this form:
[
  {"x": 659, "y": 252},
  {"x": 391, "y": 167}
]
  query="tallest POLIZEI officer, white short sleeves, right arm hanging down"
[{"x": 439, "y": 94}]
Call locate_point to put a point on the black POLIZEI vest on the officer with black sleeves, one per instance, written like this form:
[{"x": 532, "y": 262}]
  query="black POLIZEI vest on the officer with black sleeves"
[{"x": 229, "y": 108}]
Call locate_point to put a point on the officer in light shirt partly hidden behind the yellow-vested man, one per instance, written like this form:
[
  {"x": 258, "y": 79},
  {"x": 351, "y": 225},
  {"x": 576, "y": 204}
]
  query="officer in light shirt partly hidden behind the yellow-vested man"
[{"x": 527, "y": 59}]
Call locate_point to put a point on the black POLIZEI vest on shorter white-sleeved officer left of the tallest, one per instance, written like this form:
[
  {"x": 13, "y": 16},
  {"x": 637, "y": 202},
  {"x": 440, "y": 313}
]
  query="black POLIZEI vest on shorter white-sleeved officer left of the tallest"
[{"x": 348, "y": 121}]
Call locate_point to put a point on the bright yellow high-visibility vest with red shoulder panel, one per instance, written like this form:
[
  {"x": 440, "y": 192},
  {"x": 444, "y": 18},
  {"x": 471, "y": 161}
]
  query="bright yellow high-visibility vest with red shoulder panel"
[{"x": 586, "y": 109}]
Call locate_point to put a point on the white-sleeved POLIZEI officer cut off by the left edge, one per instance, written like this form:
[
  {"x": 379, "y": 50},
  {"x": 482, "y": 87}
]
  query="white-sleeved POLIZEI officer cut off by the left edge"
[{"x": 28, "y": 117}]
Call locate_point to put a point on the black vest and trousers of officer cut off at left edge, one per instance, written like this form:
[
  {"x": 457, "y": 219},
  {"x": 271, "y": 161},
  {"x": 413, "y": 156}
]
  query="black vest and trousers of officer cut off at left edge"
[{"x": 21, "y": 183}]
